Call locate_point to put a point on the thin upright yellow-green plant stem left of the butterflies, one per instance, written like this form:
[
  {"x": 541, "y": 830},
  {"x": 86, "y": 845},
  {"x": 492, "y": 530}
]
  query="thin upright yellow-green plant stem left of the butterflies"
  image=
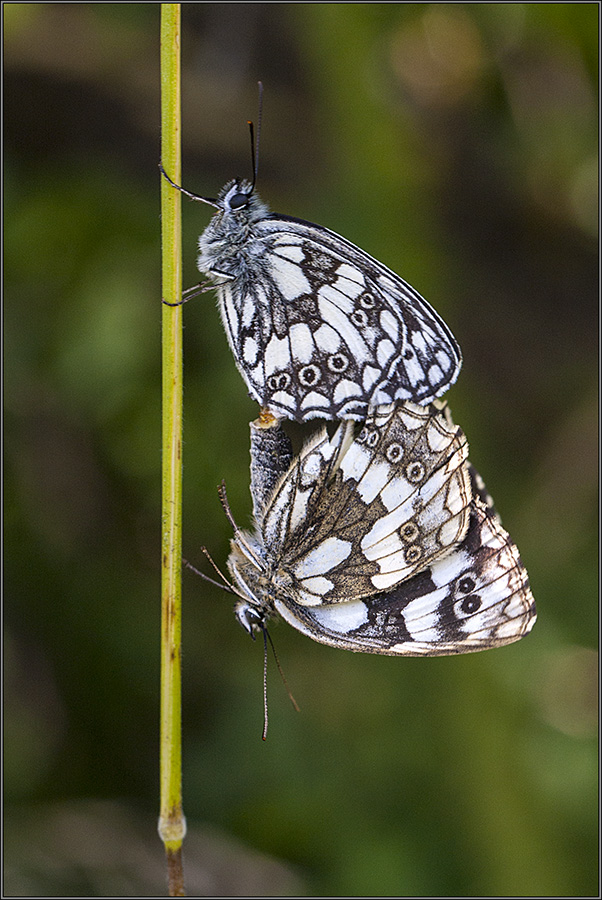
[{"x": 172, "y": 824}]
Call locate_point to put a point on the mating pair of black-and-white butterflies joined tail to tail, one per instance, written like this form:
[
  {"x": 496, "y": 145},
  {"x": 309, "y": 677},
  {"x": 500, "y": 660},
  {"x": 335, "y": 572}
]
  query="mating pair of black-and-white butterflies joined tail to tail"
[{"x": 381, "y": 541}]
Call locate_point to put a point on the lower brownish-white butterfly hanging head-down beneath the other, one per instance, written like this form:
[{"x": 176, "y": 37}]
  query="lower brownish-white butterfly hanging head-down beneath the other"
[{"x": 379, "y": 542}]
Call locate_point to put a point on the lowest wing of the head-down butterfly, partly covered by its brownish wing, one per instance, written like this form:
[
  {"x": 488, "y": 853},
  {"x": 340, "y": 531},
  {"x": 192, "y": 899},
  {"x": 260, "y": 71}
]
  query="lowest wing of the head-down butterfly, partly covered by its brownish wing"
[{"x": 475, "y": 598}]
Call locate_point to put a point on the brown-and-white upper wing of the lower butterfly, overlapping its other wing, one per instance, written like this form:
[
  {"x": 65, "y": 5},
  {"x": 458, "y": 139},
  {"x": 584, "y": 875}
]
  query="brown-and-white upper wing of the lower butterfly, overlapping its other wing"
[{"x": 397, "y": 500}]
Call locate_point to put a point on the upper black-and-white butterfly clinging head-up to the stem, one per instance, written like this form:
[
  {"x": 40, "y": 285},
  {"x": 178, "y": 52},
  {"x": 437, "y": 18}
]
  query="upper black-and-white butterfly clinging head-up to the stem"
[{"x": 316, "y": 325}]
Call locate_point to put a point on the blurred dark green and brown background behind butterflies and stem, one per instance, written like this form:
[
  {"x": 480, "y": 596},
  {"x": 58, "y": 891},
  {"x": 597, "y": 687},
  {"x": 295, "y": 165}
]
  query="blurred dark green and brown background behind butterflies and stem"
[{"x": 456, "y": 143}]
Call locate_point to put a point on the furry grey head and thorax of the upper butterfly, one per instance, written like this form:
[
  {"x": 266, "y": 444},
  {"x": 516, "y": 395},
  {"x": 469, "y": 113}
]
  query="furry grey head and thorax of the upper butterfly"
[{"x": 229, "y": 246}]
